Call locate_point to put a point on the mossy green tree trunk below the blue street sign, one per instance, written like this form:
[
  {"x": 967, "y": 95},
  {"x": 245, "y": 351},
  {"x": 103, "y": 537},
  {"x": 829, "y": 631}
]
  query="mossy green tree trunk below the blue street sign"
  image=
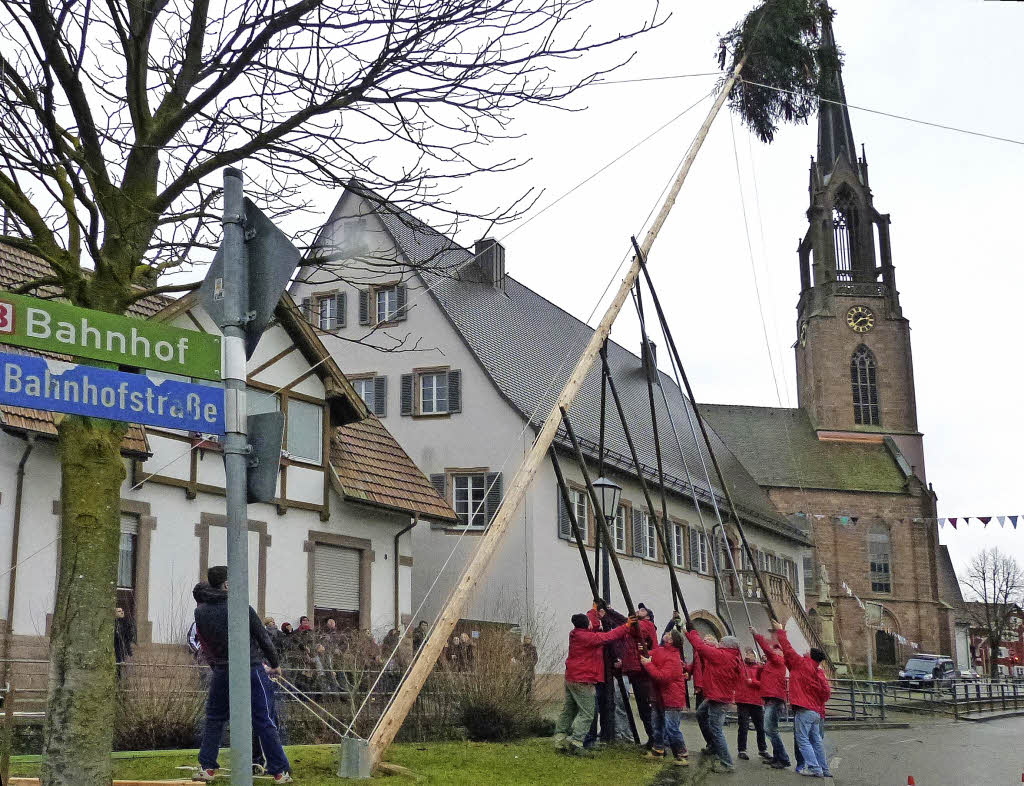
[{"x": 81, "y": 698}]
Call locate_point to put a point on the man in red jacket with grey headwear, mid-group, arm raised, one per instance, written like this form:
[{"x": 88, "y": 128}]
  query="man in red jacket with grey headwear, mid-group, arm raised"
[{"x": 721, "y": 671}]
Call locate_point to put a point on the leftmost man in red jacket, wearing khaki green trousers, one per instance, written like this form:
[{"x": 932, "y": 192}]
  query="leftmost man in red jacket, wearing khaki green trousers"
[{"x": 584, "y": 669}]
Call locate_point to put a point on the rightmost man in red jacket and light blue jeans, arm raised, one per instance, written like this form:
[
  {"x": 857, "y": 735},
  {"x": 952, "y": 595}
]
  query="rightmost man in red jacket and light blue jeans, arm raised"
[{"x": 809, "y": 690}]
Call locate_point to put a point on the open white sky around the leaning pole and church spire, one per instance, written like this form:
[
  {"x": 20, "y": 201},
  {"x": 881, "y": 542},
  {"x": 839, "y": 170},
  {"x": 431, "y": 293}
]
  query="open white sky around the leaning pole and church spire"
[{"x": 955, "y": 201}]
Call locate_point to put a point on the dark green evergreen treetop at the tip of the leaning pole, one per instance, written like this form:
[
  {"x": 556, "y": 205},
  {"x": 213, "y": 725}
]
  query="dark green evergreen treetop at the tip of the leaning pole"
[{"x": 789, "y": 48}]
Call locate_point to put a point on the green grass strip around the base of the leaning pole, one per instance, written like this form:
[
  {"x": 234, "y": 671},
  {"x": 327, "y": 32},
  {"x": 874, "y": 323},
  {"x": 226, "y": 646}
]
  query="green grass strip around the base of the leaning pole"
[{"x": 450, "y": 763}]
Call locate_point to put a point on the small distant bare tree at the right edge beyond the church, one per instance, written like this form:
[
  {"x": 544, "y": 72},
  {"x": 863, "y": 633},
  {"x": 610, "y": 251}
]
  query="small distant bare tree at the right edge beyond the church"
[{"x": 995, "y": 585}]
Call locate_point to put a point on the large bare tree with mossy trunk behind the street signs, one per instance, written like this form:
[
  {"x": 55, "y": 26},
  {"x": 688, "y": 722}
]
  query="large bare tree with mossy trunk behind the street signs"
[{"x": 116, "y": 119}]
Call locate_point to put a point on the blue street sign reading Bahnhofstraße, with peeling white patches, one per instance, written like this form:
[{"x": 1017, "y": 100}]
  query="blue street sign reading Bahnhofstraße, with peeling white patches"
[{"x": 59, "y": 387}]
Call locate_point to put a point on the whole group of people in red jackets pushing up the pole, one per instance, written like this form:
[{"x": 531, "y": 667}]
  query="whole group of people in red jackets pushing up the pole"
[{"x": 722, "y": 676}]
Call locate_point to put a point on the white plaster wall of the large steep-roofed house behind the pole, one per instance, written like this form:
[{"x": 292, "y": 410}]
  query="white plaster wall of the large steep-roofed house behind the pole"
[{"x": 534, "y": 573}]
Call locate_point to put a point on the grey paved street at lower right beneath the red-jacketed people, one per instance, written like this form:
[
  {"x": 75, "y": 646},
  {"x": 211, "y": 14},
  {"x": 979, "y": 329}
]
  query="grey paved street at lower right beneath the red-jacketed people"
[{"x": 935, "y": 753}]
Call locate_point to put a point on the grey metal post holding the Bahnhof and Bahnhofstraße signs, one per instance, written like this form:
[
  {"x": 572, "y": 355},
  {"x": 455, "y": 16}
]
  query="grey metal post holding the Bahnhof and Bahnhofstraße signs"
[{"x": 236, "y": 293}]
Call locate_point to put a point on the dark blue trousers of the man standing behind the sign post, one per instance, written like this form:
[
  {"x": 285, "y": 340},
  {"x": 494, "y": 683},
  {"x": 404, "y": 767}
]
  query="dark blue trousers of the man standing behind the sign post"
[{"x": 218, "y": 714}]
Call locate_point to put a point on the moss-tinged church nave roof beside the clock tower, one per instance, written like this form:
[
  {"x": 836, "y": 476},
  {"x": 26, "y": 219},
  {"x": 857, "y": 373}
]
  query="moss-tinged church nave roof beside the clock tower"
[{"x": 781, "y": 448}]
